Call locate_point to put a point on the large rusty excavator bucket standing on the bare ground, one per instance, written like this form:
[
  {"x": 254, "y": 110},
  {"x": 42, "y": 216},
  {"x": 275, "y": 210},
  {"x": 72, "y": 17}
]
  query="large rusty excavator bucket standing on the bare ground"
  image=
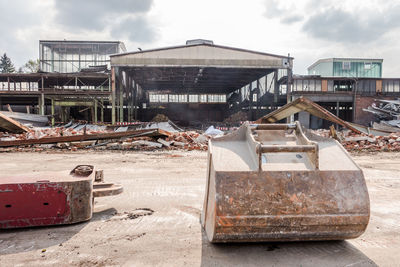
[{"x": 269, "y": 182}]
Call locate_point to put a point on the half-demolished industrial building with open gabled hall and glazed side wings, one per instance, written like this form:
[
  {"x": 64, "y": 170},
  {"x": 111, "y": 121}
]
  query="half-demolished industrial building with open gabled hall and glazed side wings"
[{"x": 191, "y": 84}]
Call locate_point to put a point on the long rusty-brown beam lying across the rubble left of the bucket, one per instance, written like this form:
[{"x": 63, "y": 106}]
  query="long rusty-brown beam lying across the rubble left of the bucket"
[{"x": 85, "y": 137}]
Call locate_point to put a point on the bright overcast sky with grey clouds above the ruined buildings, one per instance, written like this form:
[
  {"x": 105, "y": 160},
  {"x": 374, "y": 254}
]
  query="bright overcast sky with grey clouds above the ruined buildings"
[{"x": 308, "y": 30}]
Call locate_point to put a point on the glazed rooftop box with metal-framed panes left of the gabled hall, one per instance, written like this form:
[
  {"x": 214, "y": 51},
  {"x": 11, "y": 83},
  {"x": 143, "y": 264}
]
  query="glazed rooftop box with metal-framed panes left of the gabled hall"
[{"x": 72, "y": 56}]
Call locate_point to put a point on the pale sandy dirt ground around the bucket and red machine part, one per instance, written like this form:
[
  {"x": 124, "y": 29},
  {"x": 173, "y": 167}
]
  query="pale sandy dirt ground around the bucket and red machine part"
[{"x": 155, "y": 222}]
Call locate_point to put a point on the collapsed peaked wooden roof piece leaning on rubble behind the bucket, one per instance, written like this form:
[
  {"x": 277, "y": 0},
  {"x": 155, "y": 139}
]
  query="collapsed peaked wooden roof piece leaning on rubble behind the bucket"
[{"x": 304, "y": 104}]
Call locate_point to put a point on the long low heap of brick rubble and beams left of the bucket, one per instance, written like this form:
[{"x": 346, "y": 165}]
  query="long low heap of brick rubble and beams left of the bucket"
[{"x": 101, "y": 137}]
